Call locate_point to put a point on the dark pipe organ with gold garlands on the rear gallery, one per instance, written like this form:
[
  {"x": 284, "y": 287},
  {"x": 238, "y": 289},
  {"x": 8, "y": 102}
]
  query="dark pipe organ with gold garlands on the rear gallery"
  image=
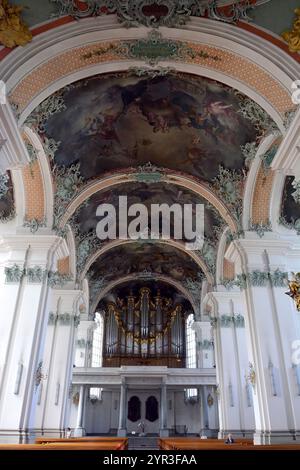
[{"x": 144, "y": 330}]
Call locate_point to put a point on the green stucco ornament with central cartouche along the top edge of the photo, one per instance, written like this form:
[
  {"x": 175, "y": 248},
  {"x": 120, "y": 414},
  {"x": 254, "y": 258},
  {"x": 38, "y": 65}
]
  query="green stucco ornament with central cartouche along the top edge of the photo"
[{"x": 154, "y": 13}]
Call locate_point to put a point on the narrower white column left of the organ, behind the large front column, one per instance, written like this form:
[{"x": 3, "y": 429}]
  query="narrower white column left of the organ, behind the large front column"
[{"x": 54, "y": 409}]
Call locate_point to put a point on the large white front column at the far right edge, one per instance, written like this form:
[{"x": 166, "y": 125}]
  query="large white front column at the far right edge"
[{"x": 272, "y": 327}]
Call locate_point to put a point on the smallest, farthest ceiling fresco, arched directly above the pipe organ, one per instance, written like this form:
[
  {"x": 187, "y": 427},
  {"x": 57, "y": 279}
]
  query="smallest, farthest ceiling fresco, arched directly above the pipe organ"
[{"x": 144, "y": 257}]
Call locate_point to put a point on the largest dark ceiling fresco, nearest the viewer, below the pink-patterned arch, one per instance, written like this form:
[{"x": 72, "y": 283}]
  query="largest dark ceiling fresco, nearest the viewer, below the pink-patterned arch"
[{"x": 181, "y": 122}]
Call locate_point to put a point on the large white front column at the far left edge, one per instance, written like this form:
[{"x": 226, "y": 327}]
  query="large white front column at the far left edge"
[{"x": 26, "y": 260}]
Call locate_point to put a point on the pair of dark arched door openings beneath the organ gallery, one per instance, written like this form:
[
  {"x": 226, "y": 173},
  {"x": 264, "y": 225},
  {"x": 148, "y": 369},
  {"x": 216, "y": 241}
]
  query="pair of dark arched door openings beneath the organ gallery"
[{"x": 143, "y": 412}]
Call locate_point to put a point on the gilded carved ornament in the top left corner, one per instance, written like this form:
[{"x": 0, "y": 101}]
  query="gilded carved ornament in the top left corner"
[{"x": 13, "y": 31}]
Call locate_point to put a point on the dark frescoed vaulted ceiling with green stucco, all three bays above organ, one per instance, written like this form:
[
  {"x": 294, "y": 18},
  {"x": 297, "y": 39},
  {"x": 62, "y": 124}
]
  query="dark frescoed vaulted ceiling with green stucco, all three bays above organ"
[{"x": 172, "y": 123}]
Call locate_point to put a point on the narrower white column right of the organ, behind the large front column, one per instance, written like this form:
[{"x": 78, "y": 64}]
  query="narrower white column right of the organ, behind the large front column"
[{"x": 236, "y": 416}]
